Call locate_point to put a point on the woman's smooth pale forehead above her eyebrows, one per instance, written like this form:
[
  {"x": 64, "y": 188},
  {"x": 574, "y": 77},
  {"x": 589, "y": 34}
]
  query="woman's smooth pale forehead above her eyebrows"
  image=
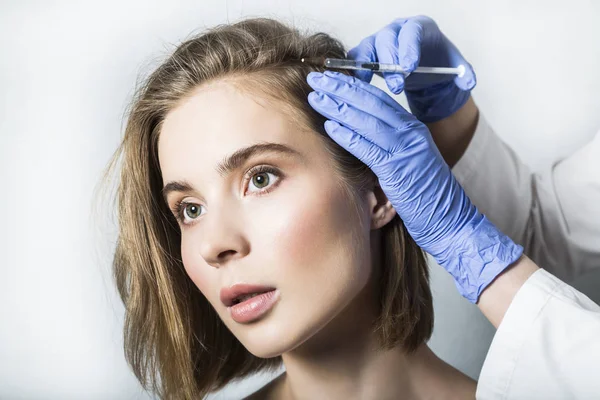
[{"x": 218, "y": 119}]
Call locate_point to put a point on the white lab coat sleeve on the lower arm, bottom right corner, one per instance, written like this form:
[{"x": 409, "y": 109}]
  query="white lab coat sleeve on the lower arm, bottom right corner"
[{"x": 546, "y": 347}]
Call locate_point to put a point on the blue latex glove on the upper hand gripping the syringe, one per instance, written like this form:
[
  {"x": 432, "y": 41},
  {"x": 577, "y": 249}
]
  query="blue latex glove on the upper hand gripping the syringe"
[{"x": 411, "y": 42}]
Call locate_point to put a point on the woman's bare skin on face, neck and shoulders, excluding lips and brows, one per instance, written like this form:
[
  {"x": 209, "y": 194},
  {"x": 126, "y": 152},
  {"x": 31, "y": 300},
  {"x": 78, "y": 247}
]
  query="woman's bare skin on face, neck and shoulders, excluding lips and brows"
[{"x": 296, "y": 237}]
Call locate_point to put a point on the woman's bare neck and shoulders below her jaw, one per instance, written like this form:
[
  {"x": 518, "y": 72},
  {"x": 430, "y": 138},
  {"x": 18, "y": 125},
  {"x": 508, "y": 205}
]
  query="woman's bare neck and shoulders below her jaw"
[{"x": 344, "y": 361}]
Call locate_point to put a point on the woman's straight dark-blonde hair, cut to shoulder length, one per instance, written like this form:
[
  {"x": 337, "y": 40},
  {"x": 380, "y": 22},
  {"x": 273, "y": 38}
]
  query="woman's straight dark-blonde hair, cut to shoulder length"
[{"x": 174, "y": 340}]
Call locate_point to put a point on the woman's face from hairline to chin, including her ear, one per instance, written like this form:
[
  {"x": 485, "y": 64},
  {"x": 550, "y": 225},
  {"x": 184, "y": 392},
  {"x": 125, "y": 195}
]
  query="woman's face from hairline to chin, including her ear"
[{"x": 274, "y": 220}]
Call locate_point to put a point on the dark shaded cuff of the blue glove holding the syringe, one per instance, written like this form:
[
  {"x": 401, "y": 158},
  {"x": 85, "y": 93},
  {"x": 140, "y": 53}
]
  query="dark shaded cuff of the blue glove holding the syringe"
[{"x": 436, "y": 102}]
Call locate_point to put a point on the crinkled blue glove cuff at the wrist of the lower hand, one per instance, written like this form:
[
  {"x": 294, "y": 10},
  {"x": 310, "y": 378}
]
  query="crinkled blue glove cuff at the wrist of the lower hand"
[{"x": 477, "y": 256}]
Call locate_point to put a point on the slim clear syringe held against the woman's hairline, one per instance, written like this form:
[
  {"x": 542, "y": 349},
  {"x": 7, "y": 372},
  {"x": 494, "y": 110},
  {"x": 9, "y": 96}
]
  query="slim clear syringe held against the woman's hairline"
[{"x": 339, "y": 63}]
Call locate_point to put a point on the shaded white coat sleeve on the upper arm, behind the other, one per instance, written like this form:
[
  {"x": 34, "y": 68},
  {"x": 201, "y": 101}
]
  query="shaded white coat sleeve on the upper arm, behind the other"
[{"x": 555, "y": 215}]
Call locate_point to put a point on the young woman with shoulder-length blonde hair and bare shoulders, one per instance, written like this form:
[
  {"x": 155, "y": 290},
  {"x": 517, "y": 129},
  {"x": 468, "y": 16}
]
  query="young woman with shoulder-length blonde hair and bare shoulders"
[{"x": 248, "y": 237}]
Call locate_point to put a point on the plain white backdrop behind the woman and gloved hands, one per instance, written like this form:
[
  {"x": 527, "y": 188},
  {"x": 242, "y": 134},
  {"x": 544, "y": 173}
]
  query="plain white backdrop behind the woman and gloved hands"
[{"x": 67, "y": 72}]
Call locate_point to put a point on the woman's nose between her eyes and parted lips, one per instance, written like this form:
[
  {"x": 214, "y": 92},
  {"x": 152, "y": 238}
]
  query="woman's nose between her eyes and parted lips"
[{"x": 223, "y": 238}]
